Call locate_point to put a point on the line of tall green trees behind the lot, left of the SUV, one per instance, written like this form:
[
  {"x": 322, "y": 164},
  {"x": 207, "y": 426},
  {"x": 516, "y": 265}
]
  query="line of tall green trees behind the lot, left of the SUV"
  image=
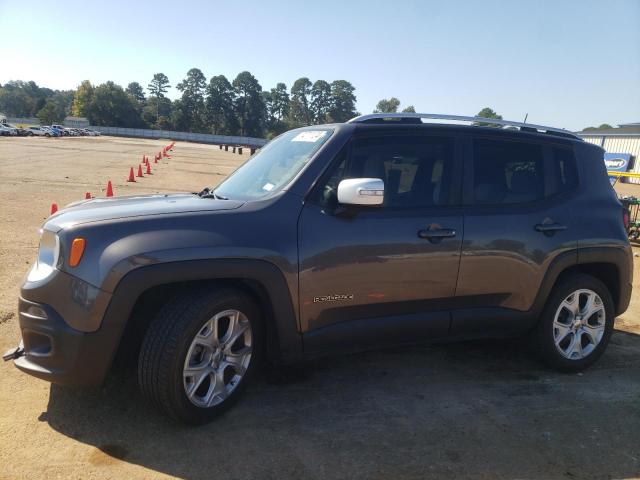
[{"x": 219, "y": 106}]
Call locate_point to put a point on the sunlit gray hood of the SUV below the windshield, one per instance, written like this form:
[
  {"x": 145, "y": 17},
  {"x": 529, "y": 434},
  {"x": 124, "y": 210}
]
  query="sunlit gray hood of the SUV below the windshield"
[{"x": 112, "y": 208}]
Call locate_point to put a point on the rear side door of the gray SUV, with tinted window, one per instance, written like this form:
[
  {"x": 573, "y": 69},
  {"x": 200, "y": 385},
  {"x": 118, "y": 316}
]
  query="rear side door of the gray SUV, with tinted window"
[{"x": 518, "y": 218}]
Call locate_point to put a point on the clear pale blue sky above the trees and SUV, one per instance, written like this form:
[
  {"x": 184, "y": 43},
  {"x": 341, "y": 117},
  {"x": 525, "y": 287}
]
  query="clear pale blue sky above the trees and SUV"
[{"x": 567, "y": 63}]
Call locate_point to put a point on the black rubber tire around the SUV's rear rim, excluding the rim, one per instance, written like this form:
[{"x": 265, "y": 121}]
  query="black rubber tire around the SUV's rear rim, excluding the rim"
[{"x": 543, "y": 335}]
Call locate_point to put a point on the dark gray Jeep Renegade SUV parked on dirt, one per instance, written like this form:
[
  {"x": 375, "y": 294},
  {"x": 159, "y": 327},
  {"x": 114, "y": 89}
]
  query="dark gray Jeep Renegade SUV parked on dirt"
[{"x": 381, "y": 231}]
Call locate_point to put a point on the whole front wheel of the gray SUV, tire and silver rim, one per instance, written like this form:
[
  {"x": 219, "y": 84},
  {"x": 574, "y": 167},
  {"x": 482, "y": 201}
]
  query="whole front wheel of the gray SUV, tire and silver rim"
[{"x": 199, "y": 352}]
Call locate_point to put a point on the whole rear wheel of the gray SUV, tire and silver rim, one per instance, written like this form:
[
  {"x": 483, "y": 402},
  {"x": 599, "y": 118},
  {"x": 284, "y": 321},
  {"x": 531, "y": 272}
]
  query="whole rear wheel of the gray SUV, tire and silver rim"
[{"x": 576, "y": 324}]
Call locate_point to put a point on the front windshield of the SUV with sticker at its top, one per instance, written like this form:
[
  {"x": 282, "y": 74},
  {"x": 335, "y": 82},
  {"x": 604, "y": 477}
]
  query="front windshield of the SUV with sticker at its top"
[{"x": 274, "y": 165}]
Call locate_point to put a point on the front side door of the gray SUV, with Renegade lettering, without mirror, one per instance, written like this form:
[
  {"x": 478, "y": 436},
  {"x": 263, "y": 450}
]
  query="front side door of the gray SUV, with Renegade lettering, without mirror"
[{"x": 384, "y": 274}]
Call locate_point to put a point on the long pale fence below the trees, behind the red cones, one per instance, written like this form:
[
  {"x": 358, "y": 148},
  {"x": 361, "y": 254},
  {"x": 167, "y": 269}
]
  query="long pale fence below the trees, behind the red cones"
[{"x": 182, "y": 136}]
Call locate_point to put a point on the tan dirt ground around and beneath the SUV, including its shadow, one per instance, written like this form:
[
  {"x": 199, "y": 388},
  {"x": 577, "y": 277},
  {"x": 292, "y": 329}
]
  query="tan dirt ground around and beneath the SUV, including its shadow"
[{"x": 469, "y": 410}]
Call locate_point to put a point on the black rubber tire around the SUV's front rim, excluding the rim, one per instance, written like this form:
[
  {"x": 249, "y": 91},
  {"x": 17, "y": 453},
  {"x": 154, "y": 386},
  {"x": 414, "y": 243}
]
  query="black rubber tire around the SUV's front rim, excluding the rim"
[{"x": 168, "y": 340}]
